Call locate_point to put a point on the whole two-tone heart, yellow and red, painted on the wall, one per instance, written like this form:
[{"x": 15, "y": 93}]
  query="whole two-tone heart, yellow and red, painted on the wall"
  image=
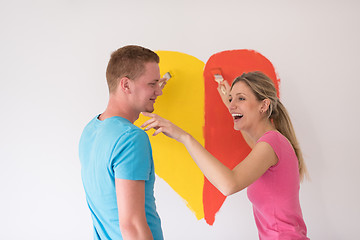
[{"x": 191, "y": 101}]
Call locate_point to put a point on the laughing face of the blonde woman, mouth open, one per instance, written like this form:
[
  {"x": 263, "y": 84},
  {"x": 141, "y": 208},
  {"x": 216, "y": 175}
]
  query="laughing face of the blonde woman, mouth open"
[{"x": 244, "y": 107}]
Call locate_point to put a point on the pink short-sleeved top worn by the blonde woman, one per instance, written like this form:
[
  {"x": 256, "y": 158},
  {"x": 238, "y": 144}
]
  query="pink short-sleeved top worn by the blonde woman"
[{"x": 275, "y": 195}]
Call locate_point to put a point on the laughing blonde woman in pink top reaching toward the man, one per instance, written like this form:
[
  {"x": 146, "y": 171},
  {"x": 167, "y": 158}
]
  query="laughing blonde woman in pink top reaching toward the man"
[{"x": 273, "y": 169}]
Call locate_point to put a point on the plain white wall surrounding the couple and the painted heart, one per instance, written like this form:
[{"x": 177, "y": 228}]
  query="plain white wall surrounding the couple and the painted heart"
[{"x": 53, "y": 56}]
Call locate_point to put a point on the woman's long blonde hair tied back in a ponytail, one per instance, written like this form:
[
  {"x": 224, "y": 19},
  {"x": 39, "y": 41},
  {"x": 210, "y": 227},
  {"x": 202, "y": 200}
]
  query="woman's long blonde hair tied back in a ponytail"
[{"x": 264, "y": 88}]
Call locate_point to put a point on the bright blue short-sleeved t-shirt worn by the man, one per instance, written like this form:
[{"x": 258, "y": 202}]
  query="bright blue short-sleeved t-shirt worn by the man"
[{"x": 109, "y": 149}]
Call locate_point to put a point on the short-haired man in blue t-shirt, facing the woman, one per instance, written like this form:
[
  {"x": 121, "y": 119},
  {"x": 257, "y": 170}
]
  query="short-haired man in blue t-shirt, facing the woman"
[{"x": 116, "y": 158}]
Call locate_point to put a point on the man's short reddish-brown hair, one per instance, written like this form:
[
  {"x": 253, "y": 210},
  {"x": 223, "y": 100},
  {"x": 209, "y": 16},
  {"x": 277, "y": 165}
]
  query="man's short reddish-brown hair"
[{"x": 128, "y": 61}]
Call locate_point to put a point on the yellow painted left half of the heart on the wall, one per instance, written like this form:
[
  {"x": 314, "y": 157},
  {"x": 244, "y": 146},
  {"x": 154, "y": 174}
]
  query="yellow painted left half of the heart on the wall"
[{"x": 182, "y": 103}]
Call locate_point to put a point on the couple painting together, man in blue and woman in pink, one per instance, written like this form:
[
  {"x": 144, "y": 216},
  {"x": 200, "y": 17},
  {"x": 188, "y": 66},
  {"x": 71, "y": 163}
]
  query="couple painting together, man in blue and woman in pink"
[{"x": 116, "y": 158}]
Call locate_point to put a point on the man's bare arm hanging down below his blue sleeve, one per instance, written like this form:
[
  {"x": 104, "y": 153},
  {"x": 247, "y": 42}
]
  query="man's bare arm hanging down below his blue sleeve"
[{"x": 131, "y": 205}]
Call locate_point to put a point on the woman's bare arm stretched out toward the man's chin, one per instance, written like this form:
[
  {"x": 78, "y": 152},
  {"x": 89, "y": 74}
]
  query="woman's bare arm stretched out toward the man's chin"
[{"x": 225, "y": 180}]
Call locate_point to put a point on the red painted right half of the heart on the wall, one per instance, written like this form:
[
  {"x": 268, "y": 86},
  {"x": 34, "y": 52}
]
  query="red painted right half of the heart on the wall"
[{"x": 221, "y": 140}]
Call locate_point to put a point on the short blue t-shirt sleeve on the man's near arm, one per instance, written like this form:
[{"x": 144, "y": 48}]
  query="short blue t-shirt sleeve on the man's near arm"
[{"x": 132, "y": 156}]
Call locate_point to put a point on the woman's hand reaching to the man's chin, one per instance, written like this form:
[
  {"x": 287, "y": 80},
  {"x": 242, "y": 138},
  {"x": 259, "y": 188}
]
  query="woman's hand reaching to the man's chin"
[{"x": 165, "y": 126}]
